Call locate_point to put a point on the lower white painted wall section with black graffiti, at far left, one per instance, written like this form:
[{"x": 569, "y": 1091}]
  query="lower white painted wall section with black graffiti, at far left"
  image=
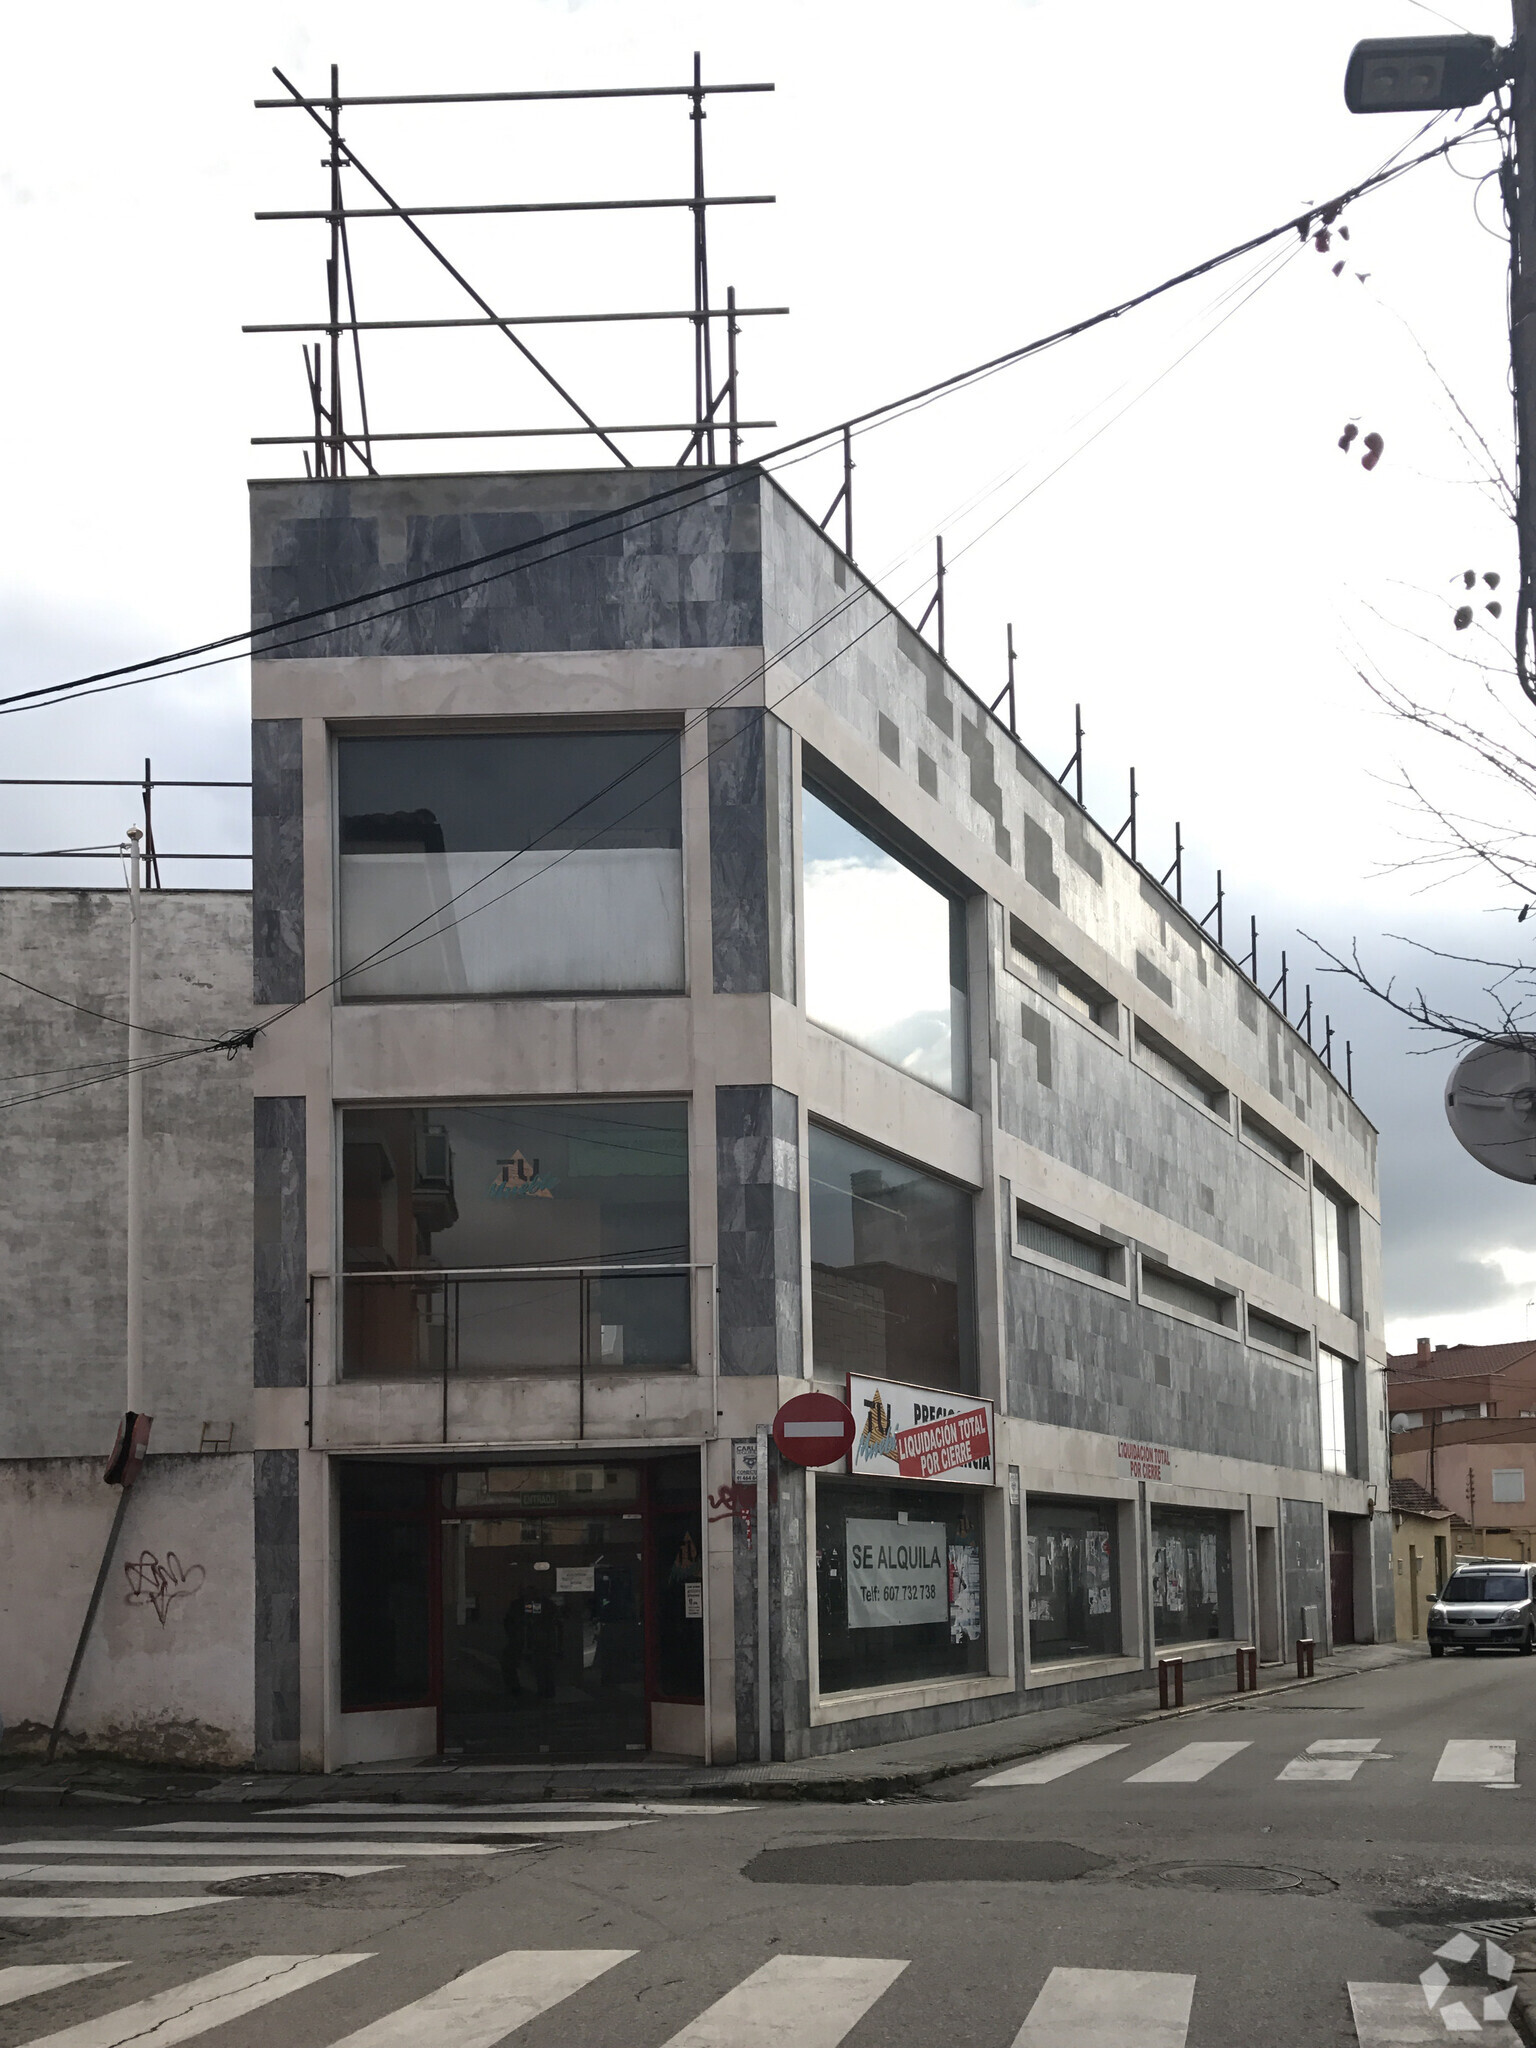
[{"x": 169, "y": 1670}]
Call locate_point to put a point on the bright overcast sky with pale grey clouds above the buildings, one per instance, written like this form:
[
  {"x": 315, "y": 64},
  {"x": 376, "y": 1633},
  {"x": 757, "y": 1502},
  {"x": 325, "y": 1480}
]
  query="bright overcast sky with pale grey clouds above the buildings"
[{"x": 1160, "y": 509}]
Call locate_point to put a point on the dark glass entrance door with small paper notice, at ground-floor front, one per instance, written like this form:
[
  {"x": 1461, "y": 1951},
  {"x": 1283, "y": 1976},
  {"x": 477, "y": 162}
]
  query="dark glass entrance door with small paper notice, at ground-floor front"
[{"x": 544, "y": 1635}]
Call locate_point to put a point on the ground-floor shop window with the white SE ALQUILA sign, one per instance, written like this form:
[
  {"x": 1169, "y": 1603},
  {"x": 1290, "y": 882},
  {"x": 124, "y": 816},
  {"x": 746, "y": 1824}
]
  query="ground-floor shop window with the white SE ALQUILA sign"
[{"x": 900, "y": 1574}]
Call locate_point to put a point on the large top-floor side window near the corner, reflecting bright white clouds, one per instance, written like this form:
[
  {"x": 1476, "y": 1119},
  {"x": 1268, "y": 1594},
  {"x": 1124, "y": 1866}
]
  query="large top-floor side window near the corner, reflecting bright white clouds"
[{"x": 884, "y": 951}]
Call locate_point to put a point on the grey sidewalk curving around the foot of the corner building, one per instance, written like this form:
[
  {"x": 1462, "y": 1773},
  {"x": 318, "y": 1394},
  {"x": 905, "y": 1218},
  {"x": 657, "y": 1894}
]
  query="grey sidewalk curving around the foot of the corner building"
[{"x": 886, "y": 1770}]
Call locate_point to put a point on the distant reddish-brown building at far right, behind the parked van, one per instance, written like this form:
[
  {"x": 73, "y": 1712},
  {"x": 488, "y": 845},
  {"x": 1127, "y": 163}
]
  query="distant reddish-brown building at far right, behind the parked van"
[{"x": 1463, "y": 1422}]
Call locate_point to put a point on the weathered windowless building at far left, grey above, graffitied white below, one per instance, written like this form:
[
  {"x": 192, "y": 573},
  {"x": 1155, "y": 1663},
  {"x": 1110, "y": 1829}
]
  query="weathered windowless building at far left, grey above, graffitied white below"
[{"x": 175, "y": 1664}]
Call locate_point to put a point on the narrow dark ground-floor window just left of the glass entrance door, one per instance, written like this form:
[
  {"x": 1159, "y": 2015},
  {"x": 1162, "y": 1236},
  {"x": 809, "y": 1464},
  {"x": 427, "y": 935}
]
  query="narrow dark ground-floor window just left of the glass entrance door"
[{"x": 386, "y": 1572}]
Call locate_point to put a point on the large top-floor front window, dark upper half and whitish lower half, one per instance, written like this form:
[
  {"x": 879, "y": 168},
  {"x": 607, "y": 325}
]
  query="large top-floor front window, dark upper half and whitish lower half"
[{"x": 511, "y": 863}]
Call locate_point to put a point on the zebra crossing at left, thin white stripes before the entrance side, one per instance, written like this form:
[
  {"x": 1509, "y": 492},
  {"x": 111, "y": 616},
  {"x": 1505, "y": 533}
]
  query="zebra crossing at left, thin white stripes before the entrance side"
[{"x": 126, "y": 1875}]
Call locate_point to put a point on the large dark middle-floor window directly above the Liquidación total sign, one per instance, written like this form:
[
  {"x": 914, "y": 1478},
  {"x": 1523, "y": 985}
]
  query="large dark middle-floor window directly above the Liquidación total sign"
[{"x": 892, "y": 1269}]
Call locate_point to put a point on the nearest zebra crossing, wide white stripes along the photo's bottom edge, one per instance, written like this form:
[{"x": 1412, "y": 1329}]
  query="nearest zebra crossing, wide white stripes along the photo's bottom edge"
[{"x": 814, "y": 2002}]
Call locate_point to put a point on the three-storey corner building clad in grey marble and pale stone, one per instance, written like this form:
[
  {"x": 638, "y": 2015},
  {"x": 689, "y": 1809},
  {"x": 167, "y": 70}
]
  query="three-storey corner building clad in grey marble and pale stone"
[{"x": 679, "y": 990}]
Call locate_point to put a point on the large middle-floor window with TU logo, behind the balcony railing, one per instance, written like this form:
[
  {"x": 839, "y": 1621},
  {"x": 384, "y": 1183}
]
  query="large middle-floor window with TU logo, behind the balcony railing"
[{"x": 433, "y": 1197}]
